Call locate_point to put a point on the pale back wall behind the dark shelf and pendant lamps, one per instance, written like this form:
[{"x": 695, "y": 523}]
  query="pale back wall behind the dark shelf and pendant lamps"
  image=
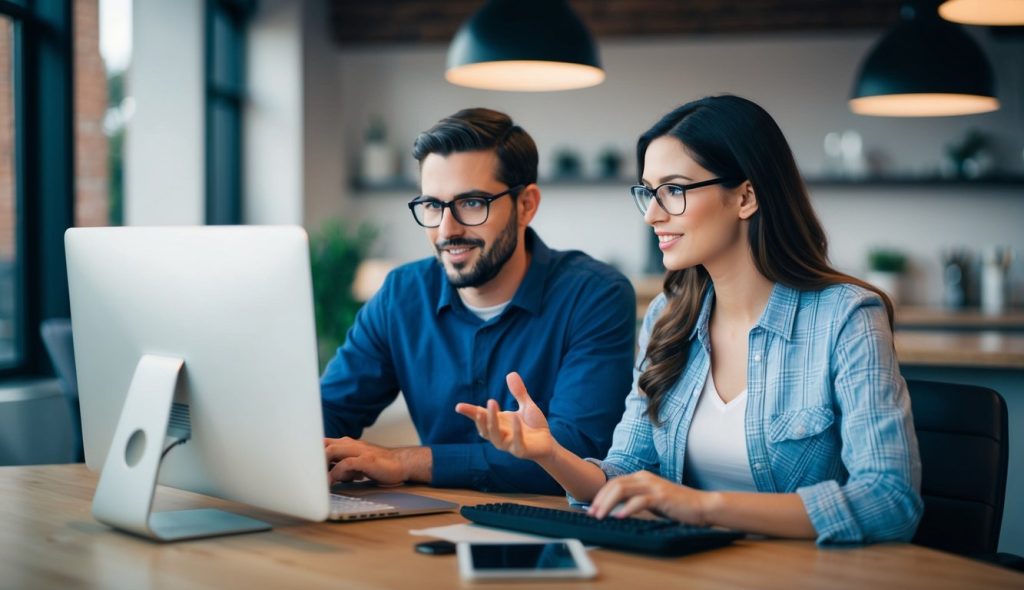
[{"x": 802, "y": 80}]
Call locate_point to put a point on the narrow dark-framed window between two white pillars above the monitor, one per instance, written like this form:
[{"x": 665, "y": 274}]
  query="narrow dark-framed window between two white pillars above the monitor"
[{"x": 226, "y": 99}]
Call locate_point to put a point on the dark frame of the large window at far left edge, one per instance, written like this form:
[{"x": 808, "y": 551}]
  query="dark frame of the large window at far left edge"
[{"x": 44, "y": 166}]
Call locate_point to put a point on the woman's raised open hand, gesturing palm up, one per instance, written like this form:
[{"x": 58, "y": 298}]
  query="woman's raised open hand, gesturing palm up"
[{"x": 525, "y": 433}]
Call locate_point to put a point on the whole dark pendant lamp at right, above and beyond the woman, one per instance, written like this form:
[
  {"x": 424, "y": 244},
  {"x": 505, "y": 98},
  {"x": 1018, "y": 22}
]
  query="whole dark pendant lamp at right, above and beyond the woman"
[{"x": 924, "y": 67}]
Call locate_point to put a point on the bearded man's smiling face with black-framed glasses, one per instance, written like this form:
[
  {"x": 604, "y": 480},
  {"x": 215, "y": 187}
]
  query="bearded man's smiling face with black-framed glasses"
[{"x": 472, "y": 256}]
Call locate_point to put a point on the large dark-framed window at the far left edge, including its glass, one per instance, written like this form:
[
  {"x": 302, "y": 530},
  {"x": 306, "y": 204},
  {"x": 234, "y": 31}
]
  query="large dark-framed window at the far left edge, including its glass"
[{"x": 35, "y": 160}]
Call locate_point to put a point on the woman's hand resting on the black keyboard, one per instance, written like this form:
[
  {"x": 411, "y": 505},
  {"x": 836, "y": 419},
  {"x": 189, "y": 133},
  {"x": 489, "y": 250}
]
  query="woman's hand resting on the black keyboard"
[{"x": 645, "y": 491}]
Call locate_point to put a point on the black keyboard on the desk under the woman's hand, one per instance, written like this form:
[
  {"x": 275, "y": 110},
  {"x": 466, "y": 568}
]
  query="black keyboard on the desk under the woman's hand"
[{"x": 638, "y": 535}]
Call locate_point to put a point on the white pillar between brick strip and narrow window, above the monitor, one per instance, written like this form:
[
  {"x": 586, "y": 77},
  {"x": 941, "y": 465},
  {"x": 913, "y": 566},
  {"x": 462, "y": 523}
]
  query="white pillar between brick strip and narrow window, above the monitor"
[{"x": 164, "y": 157}]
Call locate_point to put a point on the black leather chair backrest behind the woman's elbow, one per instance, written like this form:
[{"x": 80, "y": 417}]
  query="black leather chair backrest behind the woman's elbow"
[{"x": 964, "y": 440}]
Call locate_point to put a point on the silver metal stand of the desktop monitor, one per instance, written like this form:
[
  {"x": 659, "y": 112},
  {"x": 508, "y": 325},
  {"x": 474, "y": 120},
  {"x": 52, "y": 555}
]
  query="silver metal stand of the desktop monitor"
[{"x": 124, "y": 495}]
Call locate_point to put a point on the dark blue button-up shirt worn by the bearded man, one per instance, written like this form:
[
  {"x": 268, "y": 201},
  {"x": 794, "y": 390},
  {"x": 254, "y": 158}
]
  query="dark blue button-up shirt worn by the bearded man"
[{"x": 569, "y": 331}]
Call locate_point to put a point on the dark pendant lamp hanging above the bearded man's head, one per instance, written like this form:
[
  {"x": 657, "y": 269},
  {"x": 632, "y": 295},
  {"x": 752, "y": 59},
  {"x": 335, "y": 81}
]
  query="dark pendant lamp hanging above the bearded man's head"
[{"x": 527, "y": 46}]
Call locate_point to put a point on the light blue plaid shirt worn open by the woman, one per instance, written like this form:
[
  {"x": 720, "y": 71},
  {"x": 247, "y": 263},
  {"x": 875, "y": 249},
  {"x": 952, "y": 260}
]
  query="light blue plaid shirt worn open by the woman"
[{"x": 828, "y": 413}]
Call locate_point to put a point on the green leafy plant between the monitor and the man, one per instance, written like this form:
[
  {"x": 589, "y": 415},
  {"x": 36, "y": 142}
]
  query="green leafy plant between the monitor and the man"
[{"x": 335, "y": 254}]
